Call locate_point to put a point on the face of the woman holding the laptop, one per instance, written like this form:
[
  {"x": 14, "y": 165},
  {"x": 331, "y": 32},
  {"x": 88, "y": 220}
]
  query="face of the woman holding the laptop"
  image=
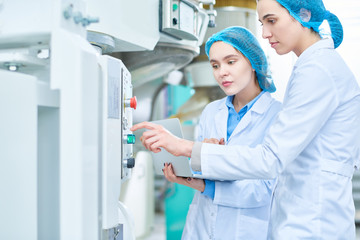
[{"x": 232, "y": 71}]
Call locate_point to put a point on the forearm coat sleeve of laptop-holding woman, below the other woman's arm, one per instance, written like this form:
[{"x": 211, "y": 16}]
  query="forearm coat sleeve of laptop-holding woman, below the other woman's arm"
[{"x": 244, "y": 193}]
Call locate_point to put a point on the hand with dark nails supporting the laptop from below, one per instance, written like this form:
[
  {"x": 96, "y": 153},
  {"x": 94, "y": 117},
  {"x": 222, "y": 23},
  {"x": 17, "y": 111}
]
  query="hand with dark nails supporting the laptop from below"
[{"x": 195, "y": 183}]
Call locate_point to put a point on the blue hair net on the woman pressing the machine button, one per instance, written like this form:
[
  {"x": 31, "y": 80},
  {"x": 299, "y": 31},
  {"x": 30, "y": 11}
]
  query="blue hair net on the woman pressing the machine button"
[{"x": 318, "y": 15}]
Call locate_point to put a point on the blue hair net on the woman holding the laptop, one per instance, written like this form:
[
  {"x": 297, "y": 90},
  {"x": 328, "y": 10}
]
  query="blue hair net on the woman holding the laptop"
[{"x": 245, "y": 42}]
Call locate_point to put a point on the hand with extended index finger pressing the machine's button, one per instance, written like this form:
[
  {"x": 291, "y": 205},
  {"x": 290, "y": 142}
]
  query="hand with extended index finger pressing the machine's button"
[{"x": 158, "y": 137}]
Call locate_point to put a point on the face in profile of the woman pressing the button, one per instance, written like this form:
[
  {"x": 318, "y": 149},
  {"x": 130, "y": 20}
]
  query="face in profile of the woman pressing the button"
[{"x": 285, "y": 34}]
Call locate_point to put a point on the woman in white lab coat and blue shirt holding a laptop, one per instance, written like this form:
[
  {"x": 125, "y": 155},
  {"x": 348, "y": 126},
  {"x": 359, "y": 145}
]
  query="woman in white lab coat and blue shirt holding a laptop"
[{"x": 233, "y": 209}]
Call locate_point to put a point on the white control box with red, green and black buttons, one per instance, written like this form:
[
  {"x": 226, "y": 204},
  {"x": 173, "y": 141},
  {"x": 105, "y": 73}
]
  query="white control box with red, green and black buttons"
[{"x": 118, "y": 104}]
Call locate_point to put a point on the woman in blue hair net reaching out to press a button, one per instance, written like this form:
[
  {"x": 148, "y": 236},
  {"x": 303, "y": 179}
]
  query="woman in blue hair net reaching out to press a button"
[{"x": 314, "y": 144}]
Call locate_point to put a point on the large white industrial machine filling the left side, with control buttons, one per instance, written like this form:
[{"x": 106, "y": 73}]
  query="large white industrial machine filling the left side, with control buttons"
[{"x": 66, "y": 109}]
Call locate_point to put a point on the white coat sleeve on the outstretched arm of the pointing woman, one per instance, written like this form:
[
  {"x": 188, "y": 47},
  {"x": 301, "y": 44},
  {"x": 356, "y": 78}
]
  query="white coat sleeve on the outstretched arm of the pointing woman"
[{"x": 310, "y": 99}]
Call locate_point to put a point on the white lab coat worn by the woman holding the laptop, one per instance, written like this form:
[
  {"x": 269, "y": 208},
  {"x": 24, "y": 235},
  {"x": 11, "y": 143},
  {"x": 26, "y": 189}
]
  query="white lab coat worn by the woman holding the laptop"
[{"x": 240, "y": 209}]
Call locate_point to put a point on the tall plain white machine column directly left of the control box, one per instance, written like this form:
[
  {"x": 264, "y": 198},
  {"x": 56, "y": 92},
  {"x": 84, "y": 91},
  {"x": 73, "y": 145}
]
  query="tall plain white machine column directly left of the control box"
[{"x": 75, "y": 72}]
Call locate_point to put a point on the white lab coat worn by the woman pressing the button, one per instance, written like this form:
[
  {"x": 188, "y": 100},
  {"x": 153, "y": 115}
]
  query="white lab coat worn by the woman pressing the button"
[{"x": 313, "y": 145}]
